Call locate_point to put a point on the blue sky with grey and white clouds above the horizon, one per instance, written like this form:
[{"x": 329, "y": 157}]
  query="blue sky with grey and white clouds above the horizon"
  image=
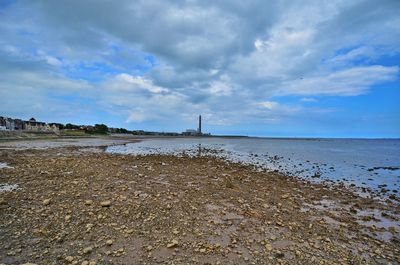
[{"x": 267, "y": 68}]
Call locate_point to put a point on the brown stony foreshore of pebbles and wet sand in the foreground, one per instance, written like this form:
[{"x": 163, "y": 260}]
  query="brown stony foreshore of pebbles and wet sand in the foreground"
[{"x": 77, "y": 205}]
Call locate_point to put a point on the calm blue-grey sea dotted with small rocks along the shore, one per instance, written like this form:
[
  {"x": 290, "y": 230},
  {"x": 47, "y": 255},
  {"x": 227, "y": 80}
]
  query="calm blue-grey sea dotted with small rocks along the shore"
[{"x": 369, "y": 164}]
